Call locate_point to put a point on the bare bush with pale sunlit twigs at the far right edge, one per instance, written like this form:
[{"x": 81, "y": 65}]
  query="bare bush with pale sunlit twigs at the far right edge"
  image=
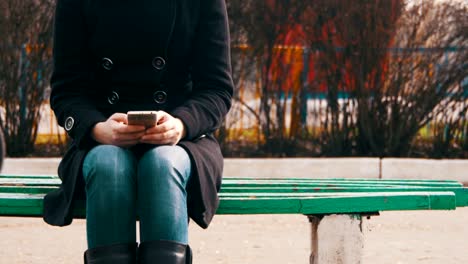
[{"x": 424, "y": 79}]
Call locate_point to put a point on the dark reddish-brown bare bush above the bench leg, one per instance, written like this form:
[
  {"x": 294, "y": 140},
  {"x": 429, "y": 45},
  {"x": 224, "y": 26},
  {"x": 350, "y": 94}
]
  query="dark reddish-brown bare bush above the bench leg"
[{"x": 350, "y": 41}]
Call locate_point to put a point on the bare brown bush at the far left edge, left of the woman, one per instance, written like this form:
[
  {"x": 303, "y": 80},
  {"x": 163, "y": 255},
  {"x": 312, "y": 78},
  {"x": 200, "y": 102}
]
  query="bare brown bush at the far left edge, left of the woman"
[{"x": 25, "y": 66}]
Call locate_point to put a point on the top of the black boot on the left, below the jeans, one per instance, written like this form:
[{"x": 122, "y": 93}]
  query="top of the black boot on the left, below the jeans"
[{"x": 112, "y": 254}]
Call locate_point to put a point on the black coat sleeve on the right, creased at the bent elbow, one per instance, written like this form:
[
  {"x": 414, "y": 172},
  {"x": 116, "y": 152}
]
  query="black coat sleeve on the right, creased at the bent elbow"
[{"x": 213, "y": 87}]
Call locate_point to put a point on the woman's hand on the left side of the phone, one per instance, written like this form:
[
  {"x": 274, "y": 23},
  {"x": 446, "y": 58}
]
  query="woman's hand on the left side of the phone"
[{"x": 115, "y": 131}]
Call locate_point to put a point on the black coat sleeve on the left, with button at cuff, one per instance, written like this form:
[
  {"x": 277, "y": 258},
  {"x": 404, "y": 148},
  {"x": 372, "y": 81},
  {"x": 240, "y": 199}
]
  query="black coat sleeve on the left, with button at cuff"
[{"x": 70, "y": 83}]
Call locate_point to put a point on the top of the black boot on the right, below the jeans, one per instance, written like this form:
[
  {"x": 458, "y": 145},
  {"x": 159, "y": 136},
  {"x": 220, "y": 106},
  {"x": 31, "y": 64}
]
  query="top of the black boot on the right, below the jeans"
[{"x": 163, "y": 252}]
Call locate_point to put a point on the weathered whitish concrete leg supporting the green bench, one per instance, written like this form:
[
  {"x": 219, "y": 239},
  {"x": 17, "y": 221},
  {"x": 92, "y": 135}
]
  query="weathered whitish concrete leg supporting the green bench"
[{"x": 336, "y": 239}]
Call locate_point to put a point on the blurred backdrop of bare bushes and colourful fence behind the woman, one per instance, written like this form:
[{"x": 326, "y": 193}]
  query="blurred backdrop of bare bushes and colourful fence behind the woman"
[{"x": 321, "y": 78}]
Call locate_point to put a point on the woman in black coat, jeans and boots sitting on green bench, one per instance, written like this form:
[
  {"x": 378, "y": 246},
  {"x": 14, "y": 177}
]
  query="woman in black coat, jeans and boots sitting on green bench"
[{"x": 171, "y": 57}]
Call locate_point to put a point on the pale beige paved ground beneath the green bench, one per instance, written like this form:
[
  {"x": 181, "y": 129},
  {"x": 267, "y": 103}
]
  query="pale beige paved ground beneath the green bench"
[{"x": 394, "y": 237}]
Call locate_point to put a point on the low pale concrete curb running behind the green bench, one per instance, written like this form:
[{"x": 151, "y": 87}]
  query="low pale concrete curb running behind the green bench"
[{"x": 373, "y": 168}]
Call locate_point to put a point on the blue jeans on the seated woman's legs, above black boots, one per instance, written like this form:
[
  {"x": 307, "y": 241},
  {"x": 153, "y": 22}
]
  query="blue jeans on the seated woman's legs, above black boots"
[{"x": 120, "y": 186}]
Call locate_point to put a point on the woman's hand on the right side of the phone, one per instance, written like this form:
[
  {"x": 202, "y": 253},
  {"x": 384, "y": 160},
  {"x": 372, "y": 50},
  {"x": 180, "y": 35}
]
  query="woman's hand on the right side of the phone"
[{"x": 168, "y": 131}]
